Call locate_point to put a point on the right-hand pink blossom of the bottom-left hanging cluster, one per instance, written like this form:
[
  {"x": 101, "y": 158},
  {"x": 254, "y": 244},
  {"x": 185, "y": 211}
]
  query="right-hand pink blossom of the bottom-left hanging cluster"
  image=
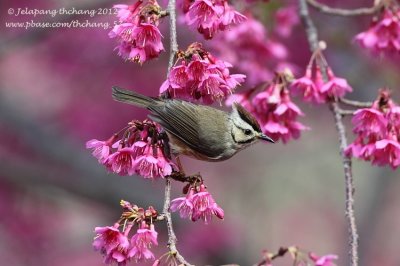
[{"x": 141, "y": 243}]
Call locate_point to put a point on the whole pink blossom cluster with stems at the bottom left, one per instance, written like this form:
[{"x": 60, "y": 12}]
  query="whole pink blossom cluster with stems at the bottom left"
[{"x": 116, "y": 245}]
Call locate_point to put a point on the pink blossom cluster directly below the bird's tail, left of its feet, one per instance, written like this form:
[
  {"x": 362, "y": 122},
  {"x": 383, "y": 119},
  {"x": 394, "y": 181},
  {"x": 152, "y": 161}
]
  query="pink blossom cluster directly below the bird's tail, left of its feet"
[{"x": 141, "y": 150}]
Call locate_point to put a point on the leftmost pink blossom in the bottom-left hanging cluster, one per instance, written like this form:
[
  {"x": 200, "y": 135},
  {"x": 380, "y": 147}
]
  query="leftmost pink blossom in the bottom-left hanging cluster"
[{"x": 112, "y": 243}]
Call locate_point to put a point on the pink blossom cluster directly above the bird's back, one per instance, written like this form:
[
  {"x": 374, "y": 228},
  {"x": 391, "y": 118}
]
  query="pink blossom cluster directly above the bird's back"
[{"x": 200, "y": 77}]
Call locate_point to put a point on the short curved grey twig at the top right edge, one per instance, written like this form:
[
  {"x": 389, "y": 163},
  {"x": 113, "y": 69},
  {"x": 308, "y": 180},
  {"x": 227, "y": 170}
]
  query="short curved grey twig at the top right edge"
[{"x": 364, "y": 11}]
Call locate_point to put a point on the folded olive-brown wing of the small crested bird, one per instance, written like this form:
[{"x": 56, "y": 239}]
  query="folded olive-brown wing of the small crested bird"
[{"x": 181, "y": 120}]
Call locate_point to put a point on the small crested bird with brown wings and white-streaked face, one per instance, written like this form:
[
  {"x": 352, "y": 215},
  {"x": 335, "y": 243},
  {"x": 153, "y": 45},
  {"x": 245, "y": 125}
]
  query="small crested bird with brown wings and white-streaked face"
[{"x": 198, "y": 131}]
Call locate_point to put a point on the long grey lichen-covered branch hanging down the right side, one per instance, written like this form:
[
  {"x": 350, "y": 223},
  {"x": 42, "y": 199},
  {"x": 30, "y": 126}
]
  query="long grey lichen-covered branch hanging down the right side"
[{"x": 312, "y": 36}]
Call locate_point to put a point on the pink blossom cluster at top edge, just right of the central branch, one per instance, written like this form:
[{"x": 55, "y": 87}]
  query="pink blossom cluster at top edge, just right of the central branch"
[{"x": 210, "y": 17}]
